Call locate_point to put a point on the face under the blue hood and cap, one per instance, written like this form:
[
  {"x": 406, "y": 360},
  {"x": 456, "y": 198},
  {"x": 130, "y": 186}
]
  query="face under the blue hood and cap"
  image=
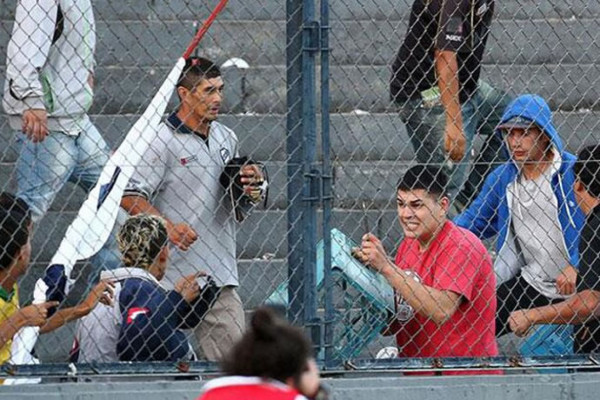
[{"x": 527, "y": 145}]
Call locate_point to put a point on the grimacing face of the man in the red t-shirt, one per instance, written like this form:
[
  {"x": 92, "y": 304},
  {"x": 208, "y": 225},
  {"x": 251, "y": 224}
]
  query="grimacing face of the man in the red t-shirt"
[{"x": 421, "y": 214}]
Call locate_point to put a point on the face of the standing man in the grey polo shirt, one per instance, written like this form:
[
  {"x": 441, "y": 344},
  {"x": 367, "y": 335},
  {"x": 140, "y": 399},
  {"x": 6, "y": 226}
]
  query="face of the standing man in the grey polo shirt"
[{"x": 204, "y": 101}]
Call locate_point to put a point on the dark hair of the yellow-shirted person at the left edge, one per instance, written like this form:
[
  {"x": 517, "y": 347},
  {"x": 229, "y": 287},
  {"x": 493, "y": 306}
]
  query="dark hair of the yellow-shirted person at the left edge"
[{"x": 15, "y": 219}]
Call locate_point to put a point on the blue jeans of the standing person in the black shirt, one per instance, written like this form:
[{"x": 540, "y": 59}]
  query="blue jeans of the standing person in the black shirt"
[{"x": 481, "y": 113}]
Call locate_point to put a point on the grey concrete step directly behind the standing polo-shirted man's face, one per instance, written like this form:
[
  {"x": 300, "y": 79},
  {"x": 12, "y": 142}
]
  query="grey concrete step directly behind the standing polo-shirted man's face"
[{"x": 123, "y": 90}]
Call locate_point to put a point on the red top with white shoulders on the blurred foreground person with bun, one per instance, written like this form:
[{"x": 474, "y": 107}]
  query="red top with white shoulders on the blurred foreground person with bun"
[{"x": 247, "y": 388}]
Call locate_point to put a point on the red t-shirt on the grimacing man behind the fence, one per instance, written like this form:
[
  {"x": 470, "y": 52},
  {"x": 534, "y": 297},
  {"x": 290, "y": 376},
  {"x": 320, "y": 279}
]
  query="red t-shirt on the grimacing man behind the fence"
[{"x": 456, "y": 260}]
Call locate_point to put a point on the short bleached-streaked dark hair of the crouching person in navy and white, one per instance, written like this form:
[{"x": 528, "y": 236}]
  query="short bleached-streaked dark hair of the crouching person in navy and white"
[{"x": 141, "y": 238}]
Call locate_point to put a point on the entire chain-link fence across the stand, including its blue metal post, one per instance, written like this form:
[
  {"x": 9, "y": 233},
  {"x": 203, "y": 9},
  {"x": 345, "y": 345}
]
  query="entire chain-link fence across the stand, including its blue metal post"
[{"x": 337, "y": 100}]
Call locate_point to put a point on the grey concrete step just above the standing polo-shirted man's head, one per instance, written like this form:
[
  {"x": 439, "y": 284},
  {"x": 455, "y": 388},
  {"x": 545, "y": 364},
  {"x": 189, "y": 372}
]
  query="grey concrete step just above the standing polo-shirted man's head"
[{"x": 158, "y": 43}]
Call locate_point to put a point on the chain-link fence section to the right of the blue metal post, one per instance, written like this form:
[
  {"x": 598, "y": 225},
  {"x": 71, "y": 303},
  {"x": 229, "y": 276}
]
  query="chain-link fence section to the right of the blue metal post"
[{"x": 382, "y": 139}]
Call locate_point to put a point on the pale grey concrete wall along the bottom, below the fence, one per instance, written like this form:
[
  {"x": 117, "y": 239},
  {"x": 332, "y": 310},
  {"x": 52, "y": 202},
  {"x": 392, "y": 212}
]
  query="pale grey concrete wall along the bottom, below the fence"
[{"x": 581, "y": 386}]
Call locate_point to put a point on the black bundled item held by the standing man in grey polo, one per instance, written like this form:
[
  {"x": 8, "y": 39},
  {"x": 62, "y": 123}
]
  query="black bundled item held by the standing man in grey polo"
[{"x": 241, "y": 201}]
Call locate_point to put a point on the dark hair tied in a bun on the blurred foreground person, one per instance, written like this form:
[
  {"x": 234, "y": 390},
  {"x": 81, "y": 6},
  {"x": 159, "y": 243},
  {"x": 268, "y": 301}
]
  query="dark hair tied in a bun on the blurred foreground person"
[{"x": 271, "y": 348}]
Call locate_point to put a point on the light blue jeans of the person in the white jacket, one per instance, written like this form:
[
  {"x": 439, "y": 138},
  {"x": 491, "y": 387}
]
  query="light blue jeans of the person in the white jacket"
[{"x": 43, "y": 168}]
